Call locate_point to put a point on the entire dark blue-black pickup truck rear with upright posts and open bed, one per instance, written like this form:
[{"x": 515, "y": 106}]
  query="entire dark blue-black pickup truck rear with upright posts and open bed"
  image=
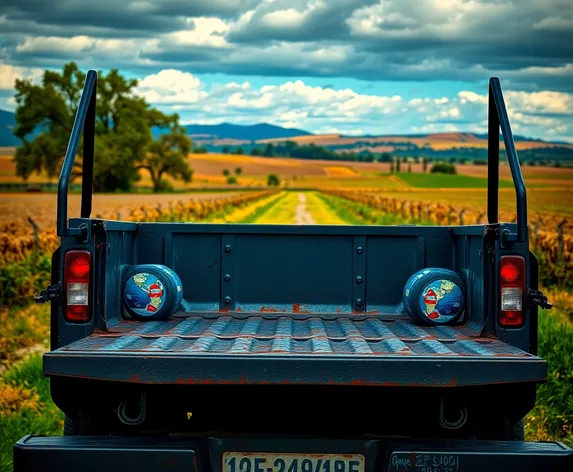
[{"x": 292, "y": 352}]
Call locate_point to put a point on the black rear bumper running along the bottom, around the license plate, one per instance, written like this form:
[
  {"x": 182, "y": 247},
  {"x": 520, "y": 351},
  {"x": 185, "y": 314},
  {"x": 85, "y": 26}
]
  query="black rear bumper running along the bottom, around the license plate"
[{"x": 144, "y": 454}]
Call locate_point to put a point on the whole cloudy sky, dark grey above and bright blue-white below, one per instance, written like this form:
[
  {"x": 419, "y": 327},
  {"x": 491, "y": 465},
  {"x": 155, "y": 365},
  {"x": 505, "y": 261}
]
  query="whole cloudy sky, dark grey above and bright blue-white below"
[{"x": 347, "y": 66}]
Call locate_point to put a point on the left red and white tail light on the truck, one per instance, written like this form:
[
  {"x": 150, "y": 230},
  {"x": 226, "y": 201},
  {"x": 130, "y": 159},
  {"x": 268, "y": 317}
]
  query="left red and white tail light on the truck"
[{"x": 77, "y": 285}]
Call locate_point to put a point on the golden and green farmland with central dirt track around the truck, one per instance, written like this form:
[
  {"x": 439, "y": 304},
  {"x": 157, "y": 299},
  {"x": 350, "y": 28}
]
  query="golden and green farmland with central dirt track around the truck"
[{"x": 311, "y": 192}]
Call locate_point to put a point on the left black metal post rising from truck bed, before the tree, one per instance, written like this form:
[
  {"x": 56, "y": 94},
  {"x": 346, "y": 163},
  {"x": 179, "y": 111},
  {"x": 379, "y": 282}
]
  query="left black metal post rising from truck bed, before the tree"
[{"x": 83, "y": 122}]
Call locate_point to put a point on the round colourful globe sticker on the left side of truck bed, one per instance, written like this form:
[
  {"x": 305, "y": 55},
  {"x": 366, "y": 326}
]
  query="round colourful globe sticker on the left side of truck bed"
[{"x": 144, "y": 294}]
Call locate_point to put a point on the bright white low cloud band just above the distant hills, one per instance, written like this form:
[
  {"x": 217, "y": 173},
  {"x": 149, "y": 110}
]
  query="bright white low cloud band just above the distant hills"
[{"x": 298, "y": 104}]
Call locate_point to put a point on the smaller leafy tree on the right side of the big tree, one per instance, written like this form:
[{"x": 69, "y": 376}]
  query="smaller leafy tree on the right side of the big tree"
[{"x": 167, "y": 156}]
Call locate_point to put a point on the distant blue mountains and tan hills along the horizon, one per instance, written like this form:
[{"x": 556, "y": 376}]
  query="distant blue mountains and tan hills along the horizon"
[{"x": 226, "y": 137}]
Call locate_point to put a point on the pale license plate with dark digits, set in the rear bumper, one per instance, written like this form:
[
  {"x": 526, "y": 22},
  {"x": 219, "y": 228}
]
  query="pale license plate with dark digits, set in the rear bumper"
[{"x": 283, "y": 462}]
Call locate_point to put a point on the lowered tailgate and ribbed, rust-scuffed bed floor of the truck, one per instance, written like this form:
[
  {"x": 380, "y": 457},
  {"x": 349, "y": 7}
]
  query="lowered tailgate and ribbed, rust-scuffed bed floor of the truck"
[{"x": 358, "y": 350}]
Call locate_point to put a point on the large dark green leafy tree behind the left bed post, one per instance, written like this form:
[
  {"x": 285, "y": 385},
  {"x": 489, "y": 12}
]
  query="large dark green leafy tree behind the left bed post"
[{"x": 45, "y": 114}]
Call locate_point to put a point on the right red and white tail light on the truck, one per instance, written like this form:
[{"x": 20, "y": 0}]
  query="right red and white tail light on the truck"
[{"x": 512, "y": 291}]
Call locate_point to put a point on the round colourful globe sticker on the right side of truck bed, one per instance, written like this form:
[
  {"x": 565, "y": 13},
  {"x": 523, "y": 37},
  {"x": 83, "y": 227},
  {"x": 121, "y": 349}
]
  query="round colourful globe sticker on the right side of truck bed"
[{"x": 441, "y": 300}]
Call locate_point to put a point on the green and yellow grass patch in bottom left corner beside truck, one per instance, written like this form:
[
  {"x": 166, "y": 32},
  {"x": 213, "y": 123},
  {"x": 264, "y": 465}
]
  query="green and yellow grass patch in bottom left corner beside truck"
[{"x": 25, "y": 407}]
